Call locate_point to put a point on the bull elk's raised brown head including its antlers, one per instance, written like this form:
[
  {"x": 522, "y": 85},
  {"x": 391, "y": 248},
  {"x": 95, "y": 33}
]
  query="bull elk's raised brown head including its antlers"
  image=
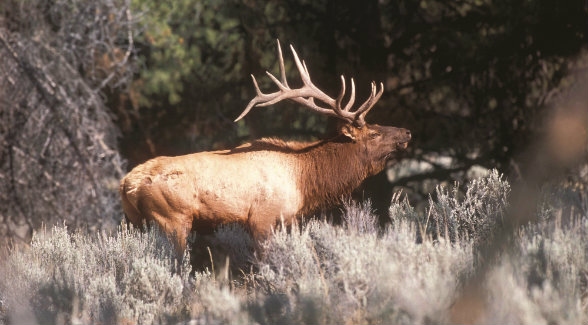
[{"x": 378, "y": 143}]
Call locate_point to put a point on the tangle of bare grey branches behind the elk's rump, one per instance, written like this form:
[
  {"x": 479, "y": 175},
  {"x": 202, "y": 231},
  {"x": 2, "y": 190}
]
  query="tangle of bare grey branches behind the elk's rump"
[{"x": 56, "y": 133}]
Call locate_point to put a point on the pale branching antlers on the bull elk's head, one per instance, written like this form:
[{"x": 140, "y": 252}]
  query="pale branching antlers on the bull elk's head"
[{"x": 309, "y": 92}]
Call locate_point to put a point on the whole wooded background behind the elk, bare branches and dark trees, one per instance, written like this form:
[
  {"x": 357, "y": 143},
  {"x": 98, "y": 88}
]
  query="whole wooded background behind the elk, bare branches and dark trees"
[{"x": 473, "y": 80}]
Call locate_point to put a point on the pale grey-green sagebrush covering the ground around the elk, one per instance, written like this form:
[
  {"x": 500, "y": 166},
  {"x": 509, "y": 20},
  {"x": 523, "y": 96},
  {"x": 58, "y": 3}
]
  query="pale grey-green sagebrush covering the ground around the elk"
[{"x": 410, "y": 271}]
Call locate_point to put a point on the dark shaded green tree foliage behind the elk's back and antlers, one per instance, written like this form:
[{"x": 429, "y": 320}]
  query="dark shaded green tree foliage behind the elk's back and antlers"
[{"x": 471, "y": 79}]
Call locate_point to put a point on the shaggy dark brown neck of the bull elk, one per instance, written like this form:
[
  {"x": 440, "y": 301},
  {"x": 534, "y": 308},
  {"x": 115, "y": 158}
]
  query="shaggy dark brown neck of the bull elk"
[{"x": 331, "y": 169}]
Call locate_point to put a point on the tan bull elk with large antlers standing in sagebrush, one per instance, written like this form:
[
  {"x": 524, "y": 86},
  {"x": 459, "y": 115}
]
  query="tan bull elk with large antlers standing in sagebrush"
[{"x": 259, "y": 183}]
